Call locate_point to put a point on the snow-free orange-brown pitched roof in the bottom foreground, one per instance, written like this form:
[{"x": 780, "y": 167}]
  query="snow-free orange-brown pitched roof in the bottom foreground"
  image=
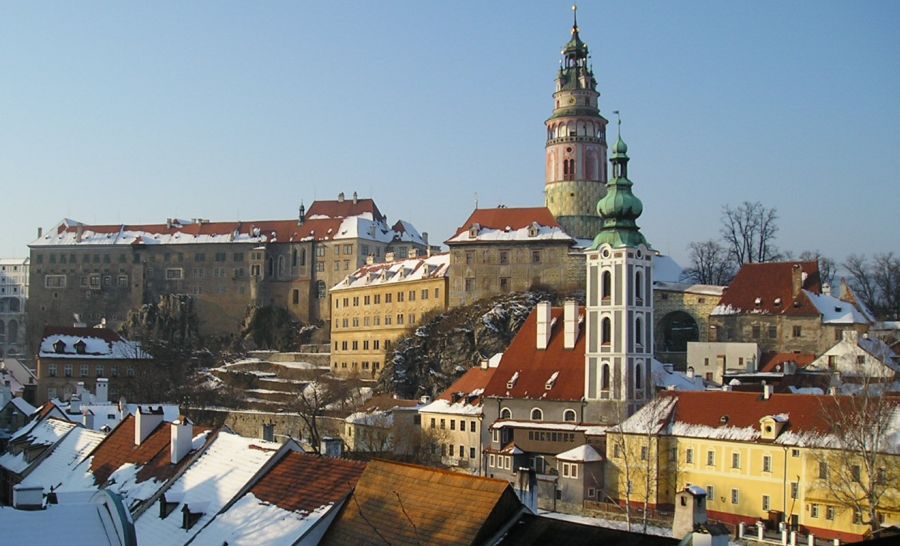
[{"x": 408, "y": 504}]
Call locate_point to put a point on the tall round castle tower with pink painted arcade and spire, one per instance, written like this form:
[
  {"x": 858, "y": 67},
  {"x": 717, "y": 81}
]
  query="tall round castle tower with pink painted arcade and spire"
[{"x": 576, "y": 143}]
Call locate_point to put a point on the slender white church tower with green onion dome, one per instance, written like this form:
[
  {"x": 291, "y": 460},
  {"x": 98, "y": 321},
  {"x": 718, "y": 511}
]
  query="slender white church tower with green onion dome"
[{"x": 619, "y": 301}]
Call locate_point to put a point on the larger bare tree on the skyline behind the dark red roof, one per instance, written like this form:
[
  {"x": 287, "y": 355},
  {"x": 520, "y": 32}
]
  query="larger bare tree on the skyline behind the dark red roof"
[{"x": 749, "y": 232}]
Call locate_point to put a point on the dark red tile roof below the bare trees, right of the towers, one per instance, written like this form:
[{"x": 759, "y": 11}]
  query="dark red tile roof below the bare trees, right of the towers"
[{"x": 768, "y": 282}]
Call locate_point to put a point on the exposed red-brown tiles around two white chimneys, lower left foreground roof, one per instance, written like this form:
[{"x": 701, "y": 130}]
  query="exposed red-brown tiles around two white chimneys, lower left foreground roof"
[{"x": 152, "y": 455}]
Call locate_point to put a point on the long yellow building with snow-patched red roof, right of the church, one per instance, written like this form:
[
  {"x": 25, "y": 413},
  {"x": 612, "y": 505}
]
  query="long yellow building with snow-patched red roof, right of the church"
[{"x": 760, "y": 457}]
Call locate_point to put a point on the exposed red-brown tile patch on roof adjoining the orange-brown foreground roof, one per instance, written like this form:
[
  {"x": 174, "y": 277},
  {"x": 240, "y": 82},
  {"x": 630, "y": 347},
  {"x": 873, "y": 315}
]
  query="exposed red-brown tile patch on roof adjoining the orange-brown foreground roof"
[{"x": 302, "y": 483}]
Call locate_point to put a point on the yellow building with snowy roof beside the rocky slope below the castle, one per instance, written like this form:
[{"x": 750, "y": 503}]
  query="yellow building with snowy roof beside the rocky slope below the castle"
[{"x": 376, "y": 304}]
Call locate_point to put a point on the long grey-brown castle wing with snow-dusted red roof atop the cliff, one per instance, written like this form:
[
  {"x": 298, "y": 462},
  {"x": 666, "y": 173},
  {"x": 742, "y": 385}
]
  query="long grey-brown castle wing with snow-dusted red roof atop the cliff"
[{"x": 101, "y": 272}]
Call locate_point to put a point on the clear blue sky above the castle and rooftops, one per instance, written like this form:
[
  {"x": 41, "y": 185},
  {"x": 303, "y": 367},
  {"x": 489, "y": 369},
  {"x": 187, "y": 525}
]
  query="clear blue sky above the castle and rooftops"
[{"x": 134, "y": 112}]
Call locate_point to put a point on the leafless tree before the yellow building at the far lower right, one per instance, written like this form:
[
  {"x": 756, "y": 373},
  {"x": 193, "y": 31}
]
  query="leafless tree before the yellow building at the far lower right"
[{"x": 858, "y": 459}]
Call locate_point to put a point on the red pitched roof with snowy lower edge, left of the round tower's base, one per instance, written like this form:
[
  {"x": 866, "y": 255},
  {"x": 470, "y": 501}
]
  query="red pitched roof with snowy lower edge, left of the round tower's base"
[{"x": 510, "y": 224}]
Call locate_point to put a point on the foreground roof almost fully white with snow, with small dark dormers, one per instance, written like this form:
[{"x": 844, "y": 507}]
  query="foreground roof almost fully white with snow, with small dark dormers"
[{"x": 223, "y": 469}]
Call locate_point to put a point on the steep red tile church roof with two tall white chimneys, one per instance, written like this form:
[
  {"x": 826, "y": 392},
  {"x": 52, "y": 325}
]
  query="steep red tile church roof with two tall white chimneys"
[{"x": 535, "y": 366}]
